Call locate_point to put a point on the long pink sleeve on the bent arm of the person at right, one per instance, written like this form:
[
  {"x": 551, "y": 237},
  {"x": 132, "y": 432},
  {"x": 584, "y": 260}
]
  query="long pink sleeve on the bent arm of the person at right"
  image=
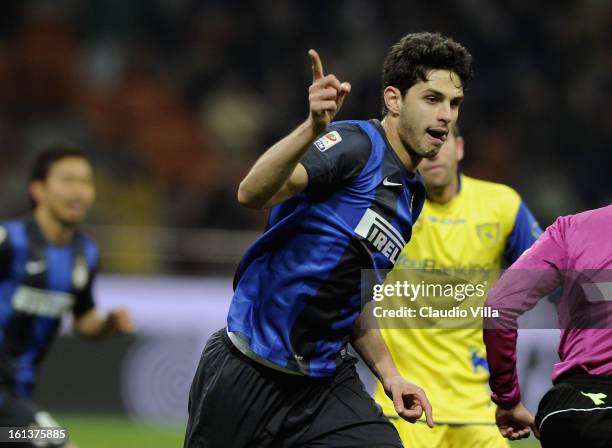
[{"x": 535, "y": 274}]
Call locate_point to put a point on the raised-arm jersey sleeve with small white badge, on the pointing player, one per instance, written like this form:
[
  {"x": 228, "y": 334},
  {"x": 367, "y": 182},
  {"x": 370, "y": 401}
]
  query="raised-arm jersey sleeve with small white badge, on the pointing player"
[{"x": 336, "y": 157}]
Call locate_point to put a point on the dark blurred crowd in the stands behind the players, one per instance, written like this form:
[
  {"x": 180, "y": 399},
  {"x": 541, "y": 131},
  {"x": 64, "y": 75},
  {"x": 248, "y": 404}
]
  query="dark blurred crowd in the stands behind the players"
[{"x": 176, "y": 98}]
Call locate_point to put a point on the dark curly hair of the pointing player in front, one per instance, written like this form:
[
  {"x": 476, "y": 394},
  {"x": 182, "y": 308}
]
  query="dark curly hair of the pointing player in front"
[{"x": 409, "y": 60}]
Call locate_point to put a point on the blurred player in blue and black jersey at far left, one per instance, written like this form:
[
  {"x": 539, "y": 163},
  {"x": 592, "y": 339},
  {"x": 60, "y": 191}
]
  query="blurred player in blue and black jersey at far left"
[{"x": 47, "y": 267}]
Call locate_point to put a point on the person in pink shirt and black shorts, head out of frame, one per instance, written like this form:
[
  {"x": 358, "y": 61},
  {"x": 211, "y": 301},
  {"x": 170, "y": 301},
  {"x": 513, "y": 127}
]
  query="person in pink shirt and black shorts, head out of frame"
[{"x": 575, "y": 255}]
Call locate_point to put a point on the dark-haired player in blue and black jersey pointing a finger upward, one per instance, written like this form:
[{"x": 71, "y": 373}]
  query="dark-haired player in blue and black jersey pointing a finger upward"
[{"x": 344, "y": 198}]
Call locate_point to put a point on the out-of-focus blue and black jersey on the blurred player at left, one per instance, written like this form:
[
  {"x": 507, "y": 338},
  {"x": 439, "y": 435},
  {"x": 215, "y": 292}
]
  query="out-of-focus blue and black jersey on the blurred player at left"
[{"x": 39, "y": 282}]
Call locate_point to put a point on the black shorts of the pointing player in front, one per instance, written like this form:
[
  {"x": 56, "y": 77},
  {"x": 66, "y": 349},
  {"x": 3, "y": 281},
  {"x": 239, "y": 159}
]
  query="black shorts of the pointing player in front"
[{"x": 236, "y": 402}]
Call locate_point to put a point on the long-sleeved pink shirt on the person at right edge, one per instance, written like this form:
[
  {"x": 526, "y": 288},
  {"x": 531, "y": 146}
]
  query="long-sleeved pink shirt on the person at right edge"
[{"x": 574, "y": 253}]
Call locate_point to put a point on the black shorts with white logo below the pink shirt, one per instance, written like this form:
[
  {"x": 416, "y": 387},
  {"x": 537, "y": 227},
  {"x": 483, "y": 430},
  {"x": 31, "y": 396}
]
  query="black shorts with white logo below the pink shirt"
[{"x": 577, "y": 411}]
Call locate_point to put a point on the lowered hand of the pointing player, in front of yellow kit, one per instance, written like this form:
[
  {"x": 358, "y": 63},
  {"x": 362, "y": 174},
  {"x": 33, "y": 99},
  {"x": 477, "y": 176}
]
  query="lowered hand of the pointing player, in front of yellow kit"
[{"x": 409, "y": 400}]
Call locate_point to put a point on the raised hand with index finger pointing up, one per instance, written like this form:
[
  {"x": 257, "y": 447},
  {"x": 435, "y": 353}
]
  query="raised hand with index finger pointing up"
[{"x": 325, "y": 95}]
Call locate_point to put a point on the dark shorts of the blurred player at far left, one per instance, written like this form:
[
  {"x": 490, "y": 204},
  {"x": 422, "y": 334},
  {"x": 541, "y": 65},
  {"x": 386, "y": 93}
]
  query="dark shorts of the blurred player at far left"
[{"x": 22, "y": 413}]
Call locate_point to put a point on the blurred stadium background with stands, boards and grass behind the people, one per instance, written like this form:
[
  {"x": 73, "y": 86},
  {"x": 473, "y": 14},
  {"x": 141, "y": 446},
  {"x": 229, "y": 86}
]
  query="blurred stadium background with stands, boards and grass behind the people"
[{"x": 176, "y": 98}]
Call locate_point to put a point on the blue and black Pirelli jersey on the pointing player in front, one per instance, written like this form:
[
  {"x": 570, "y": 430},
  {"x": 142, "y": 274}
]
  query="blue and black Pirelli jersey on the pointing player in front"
[{"x": 297, "y": 288}]
